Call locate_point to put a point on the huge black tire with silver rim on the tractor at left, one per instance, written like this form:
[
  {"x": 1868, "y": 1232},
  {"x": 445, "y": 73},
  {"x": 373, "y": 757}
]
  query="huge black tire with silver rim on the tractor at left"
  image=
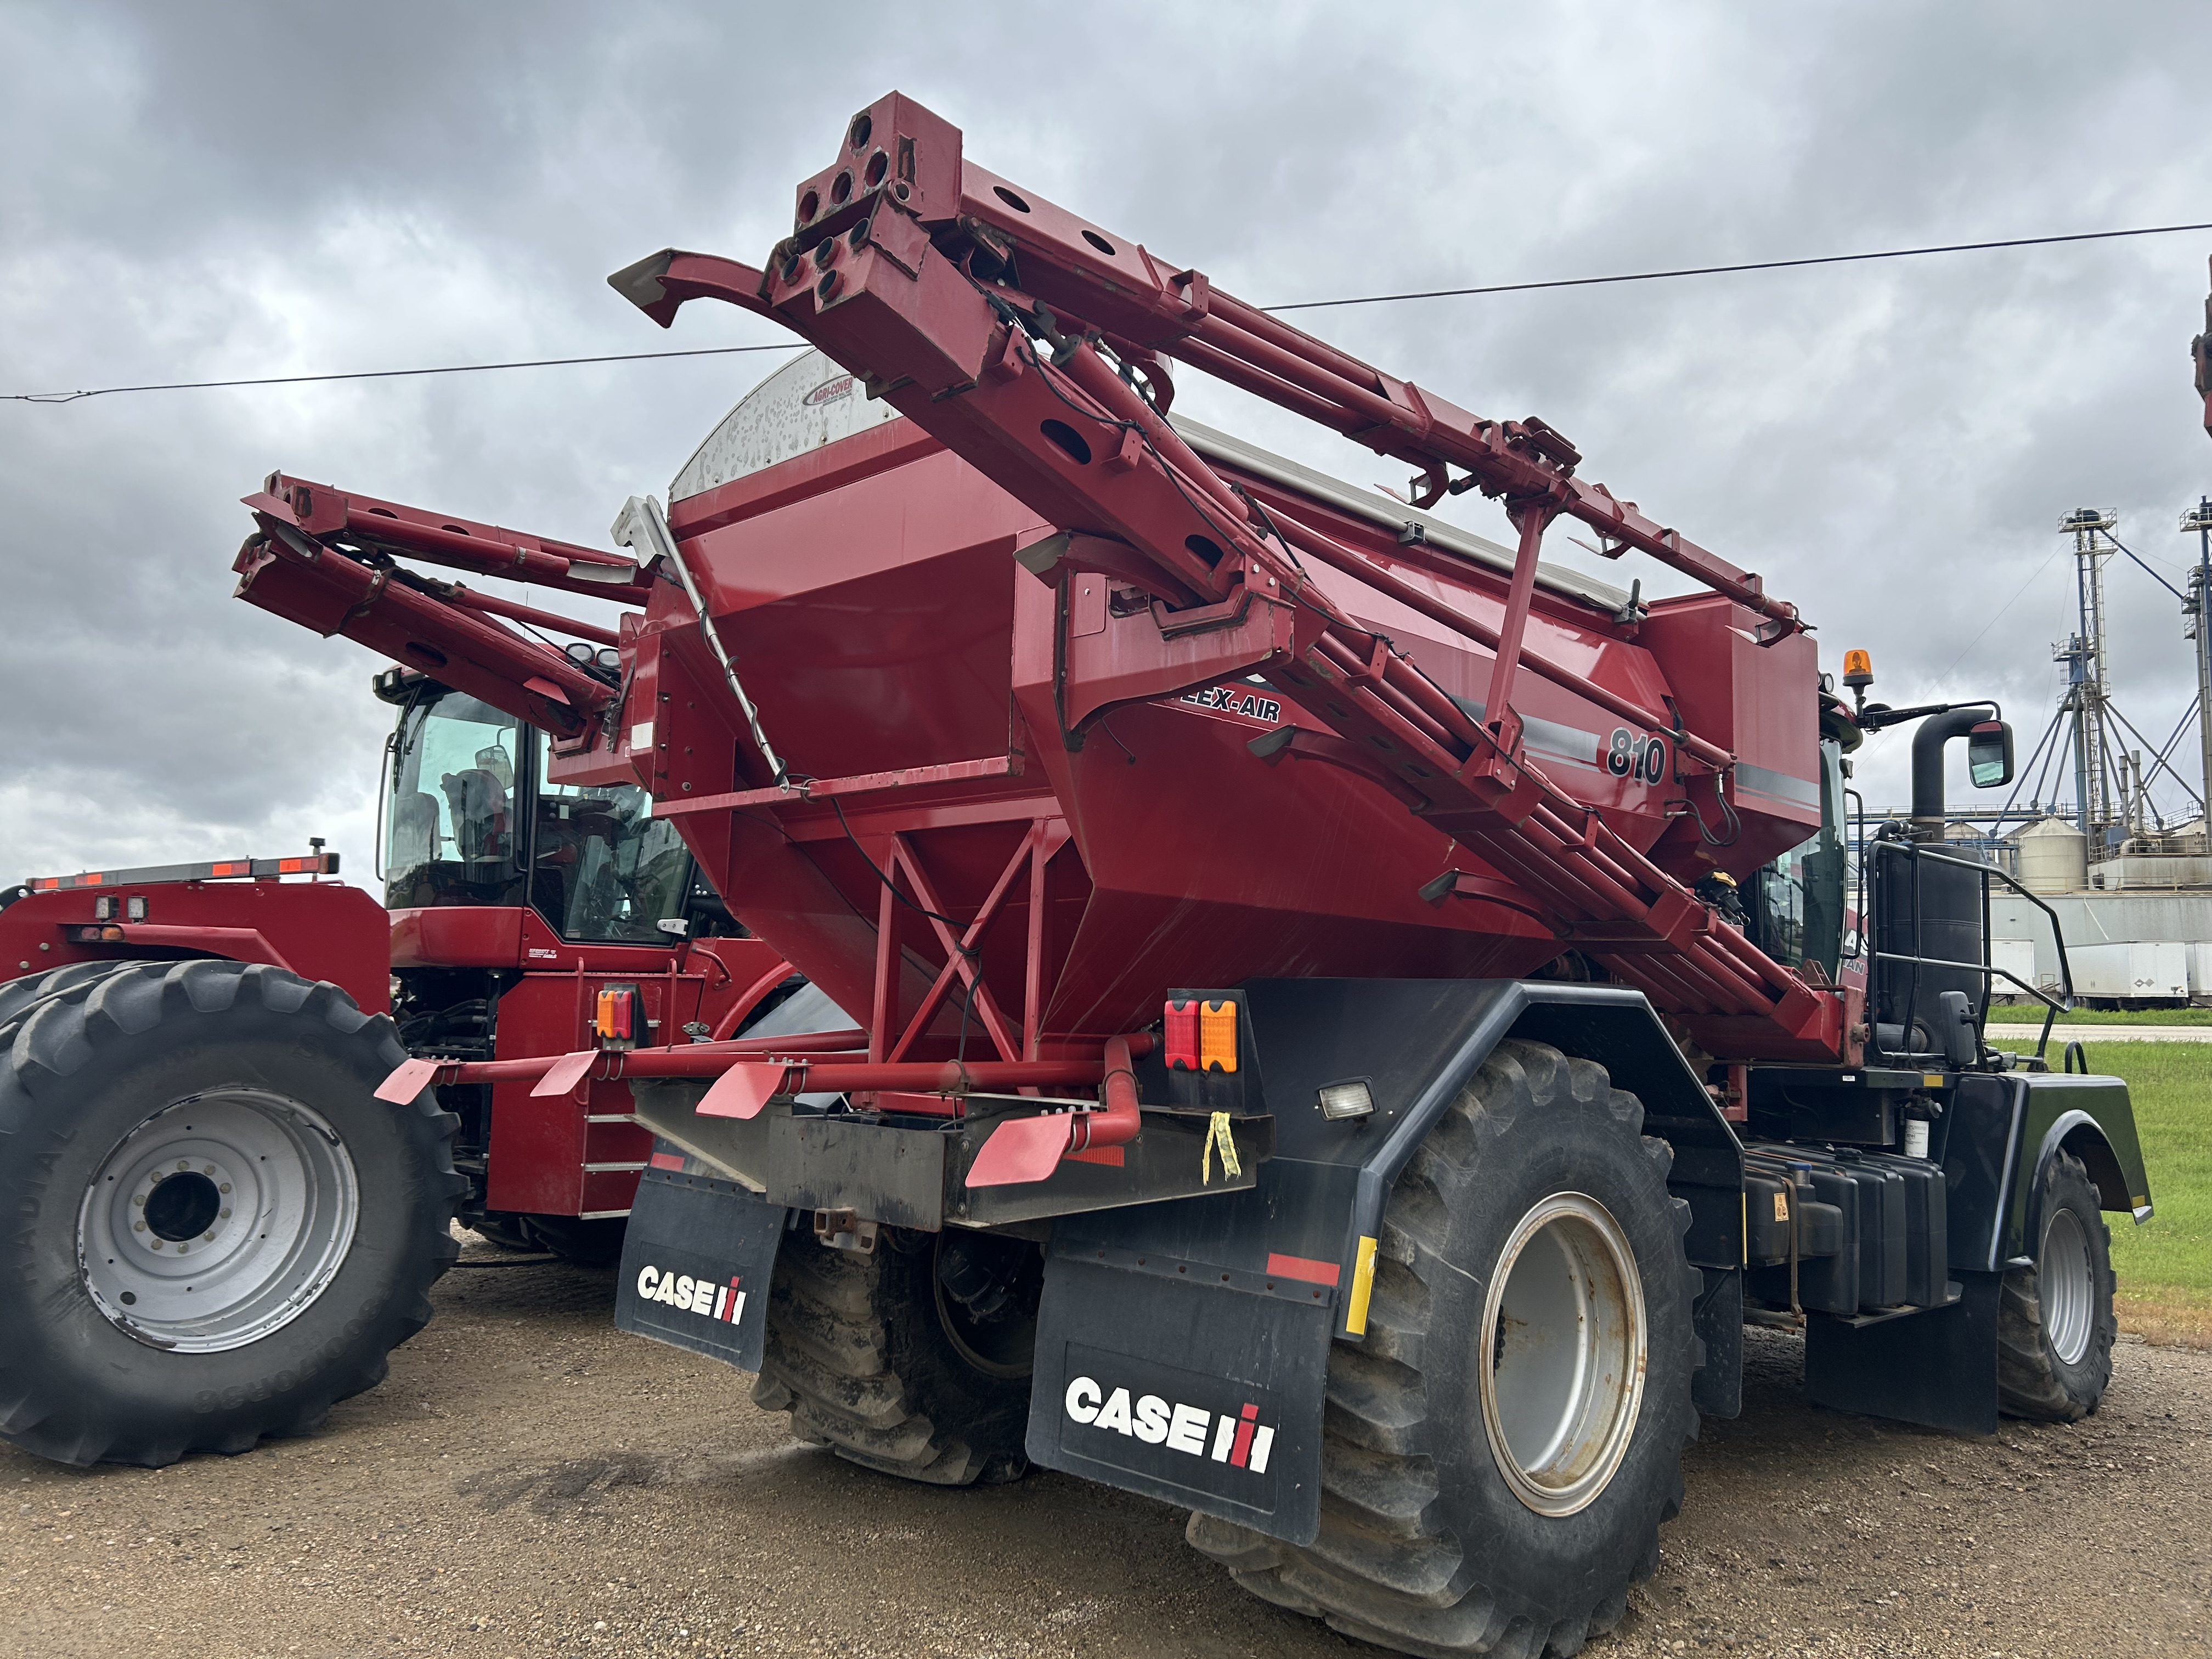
[{"x": 211, "y": 1229}]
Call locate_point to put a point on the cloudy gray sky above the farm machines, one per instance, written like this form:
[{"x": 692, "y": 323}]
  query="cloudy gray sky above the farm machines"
[{"x": 209, "y": 191}]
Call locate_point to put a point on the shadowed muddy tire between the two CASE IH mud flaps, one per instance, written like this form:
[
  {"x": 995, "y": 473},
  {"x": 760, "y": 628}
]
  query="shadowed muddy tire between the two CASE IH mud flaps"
[{"x": 912, "y": 1359}]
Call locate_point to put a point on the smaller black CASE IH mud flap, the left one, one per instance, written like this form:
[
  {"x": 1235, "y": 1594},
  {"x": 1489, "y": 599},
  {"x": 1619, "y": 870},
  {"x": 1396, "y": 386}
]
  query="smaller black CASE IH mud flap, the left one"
[{"x": 698, "y": 1262}]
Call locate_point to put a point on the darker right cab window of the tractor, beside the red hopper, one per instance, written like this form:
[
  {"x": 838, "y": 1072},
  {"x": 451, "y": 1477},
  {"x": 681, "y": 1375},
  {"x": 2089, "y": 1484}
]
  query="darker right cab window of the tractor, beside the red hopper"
[{"x": 603, "y": 866}]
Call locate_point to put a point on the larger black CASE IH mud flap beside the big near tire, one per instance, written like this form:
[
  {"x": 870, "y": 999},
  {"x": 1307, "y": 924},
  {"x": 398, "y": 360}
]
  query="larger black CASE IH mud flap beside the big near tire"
[{"x": 1185, "y": 1381}]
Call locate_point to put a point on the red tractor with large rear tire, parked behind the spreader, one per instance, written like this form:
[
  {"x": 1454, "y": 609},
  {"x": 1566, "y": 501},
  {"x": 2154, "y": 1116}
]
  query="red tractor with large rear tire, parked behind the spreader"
[{"x": 189, "y": 1120}]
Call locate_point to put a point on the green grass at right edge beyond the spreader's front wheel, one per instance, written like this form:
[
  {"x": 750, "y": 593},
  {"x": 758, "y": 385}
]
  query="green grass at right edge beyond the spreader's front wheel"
[{"x": 2167, "y": 1266}]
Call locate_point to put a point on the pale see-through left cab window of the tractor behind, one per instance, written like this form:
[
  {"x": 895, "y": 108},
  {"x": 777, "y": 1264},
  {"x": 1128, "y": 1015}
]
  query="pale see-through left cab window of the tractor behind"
[{"x": 450, "y": 824}]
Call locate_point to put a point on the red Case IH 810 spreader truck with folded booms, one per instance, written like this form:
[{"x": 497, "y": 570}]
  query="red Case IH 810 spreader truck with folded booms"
[{"x": 1353, "y": 1021}]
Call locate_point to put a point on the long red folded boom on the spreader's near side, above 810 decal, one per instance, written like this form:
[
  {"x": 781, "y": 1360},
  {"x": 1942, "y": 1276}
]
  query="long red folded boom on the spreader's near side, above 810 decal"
[{"x": 1027, "y": 342}]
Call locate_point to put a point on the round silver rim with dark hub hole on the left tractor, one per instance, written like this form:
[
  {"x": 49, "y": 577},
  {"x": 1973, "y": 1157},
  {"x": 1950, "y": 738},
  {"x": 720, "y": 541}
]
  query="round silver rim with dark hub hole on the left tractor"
[{"x": 218, "y": 1220}]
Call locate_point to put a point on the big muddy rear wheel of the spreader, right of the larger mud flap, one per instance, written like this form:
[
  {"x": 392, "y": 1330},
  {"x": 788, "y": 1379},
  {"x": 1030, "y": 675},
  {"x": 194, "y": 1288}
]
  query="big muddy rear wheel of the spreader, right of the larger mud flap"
[{"x": 1503, "y": 1448}]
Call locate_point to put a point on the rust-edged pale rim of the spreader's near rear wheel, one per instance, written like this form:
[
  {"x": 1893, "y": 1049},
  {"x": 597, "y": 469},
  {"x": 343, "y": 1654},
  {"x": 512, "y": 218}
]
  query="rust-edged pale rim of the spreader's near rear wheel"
[{"x": 1563, "y": 1355}]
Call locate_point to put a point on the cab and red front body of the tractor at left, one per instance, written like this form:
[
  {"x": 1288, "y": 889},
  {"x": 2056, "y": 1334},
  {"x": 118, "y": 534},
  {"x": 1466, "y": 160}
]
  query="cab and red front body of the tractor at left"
[{"x": 532, "y": 919}]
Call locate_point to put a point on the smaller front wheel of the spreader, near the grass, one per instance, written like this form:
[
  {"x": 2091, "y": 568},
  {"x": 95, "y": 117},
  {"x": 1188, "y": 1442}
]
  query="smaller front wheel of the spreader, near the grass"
[{"x": 2056, "y": 1317}]
